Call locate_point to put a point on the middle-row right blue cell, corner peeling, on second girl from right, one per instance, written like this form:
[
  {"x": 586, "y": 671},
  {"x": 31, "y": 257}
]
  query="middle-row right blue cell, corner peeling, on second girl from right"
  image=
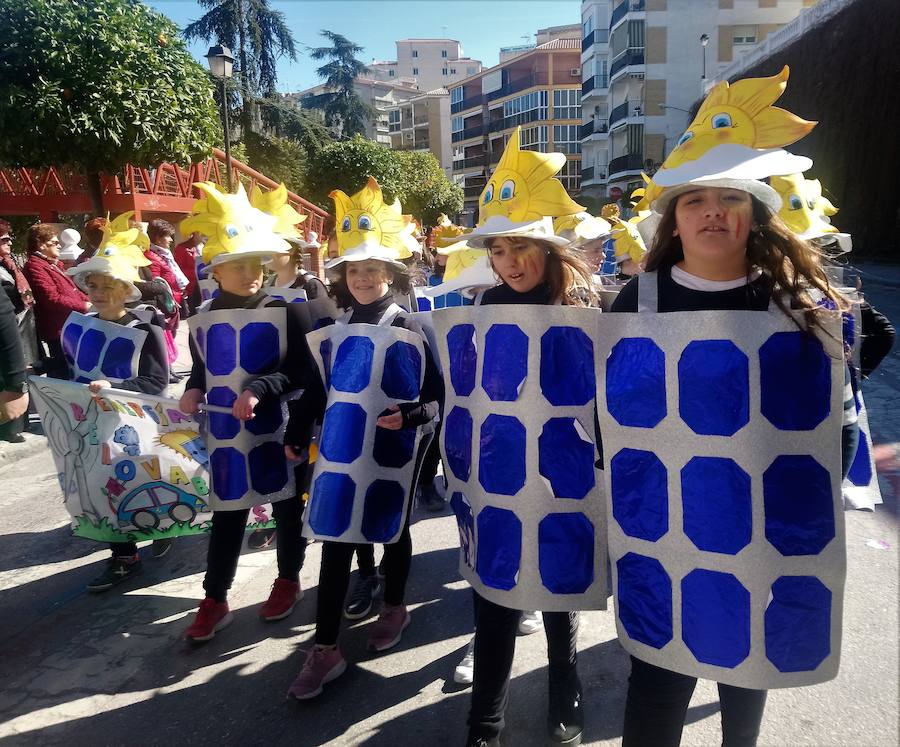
[{"x": 566, "y": 458}]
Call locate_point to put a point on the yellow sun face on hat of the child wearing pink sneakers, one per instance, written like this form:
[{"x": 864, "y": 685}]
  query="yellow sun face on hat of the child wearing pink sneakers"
[{"x": 365, "y": 217}]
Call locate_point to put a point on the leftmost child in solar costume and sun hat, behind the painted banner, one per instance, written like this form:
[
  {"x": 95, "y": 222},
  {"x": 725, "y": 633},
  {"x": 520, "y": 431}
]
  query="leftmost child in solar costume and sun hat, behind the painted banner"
[{"x": 118, "y": 347}]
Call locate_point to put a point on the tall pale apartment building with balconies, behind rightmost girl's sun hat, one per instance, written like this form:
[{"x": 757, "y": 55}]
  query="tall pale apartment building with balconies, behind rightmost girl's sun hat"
[{"x": 644, "y": 64}]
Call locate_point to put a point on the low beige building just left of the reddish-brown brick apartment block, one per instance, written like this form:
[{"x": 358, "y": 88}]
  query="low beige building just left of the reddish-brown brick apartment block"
[{"x": 423, "y": 123}]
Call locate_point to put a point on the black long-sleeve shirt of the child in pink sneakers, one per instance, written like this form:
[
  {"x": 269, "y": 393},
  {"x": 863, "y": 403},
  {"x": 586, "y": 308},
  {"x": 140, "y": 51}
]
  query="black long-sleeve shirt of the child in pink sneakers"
[{"x": 310, "y": 407}]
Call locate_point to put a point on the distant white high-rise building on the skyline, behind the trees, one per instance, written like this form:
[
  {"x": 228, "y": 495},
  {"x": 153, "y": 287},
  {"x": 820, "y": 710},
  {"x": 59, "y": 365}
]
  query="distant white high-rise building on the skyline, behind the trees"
[{"x": 429, "y": 63}]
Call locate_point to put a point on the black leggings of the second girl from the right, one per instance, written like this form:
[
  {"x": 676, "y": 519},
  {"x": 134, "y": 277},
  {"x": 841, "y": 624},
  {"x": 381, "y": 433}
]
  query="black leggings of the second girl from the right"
[{"x": 495, "y": 646}]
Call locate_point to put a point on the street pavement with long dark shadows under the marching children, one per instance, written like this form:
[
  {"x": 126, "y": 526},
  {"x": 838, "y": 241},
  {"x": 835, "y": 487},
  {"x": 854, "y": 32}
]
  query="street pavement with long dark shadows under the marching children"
[{"x": 112, "y": 669}]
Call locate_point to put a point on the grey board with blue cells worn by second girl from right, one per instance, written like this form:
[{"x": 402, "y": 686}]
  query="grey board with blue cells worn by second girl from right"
[{"x": 518, "y": 446}]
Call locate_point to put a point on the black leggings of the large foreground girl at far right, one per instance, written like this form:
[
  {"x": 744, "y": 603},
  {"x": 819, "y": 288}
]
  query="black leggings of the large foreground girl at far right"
[{"x": 658, "y": 700}]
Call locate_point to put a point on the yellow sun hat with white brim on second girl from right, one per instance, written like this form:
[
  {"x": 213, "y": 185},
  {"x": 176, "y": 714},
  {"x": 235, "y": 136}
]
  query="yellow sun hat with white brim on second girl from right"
[{"x": 522, "y": 197}]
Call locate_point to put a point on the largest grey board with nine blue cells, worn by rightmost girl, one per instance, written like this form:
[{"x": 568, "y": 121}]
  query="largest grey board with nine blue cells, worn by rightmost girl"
[{"x": 721, "y": 439}]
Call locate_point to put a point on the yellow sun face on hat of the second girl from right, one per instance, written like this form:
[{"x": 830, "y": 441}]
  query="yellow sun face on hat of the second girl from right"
[{"x": 522, "y": 187}]
